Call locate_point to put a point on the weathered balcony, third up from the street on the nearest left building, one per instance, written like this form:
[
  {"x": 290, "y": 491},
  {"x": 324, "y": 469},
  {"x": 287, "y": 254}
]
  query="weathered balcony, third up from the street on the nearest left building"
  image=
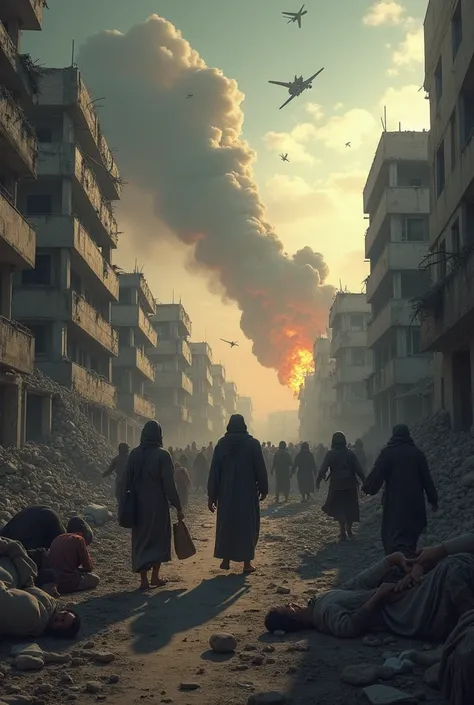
[{"x": 19, "y": 144}]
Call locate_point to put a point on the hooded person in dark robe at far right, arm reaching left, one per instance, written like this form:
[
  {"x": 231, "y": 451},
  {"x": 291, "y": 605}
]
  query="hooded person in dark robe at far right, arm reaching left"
[{"x": 403, "y": 470}]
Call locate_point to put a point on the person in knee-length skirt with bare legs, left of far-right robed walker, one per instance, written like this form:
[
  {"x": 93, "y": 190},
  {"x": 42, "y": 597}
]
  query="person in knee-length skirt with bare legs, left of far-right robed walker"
[{"x": 342, "y": 502}]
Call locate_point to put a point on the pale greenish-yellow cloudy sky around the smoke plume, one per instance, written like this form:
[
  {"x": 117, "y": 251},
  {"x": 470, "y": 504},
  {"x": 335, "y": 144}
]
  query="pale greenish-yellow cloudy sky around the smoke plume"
[{"x": 371, "y": 59}]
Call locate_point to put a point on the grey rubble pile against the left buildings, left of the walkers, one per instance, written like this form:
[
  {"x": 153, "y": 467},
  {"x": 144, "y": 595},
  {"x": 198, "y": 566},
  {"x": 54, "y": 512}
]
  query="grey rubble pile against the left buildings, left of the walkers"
[{"x": 64, "y": 471}]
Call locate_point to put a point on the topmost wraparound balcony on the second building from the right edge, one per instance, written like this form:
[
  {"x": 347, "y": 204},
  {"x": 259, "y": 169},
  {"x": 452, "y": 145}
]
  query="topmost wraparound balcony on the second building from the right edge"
[{"x": 396, "y": 201}]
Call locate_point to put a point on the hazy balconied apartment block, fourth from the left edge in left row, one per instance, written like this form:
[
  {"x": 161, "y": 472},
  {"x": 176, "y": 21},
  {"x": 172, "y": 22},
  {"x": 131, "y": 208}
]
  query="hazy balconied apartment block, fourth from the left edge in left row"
[{"x": 172, "y": 388}]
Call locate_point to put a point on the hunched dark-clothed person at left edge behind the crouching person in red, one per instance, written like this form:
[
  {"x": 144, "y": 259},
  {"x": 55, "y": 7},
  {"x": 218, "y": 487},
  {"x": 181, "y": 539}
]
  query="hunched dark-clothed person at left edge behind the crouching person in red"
[{"x": 34, "y": 527}]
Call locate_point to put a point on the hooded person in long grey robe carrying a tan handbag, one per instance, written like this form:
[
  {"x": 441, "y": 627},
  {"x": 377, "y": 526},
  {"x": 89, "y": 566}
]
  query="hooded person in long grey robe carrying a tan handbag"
[{"x": 150, "y": 472}]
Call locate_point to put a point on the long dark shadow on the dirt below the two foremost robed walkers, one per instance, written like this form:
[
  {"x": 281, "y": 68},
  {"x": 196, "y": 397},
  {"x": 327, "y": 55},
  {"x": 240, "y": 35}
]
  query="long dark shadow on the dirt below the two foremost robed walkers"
[{"x": 156, "y": 617}]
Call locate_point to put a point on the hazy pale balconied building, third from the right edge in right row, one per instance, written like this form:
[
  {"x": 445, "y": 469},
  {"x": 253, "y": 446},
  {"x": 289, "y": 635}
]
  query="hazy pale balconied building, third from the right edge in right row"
[{"x": 352, "y": 411}]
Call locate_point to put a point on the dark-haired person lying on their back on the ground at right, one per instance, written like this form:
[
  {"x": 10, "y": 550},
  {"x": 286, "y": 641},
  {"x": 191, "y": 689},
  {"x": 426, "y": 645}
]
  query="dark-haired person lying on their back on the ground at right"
[{"x": 422, "y": 606}]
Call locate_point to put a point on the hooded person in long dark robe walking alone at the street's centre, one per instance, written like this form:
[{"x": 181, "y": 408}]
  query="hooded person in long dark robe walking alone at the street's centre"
[{"x": 238, "y": 481}]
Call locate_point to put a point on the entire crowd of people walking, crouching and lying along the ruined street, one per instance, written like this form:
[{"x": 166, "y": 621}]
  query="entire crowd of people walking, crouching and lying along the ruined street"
[{"x": 425, "y": 595}]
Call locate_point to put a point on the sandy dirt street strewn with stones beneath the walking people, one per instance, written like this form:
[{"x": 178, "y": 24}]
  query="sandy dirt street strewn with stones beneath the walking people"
[{"x": 160, "y": 639}]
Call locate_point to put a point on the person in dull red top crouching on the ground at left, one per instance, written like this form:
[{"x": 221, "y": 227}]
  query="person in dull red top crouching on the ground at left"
[{"x": 70, "y": 559}]
